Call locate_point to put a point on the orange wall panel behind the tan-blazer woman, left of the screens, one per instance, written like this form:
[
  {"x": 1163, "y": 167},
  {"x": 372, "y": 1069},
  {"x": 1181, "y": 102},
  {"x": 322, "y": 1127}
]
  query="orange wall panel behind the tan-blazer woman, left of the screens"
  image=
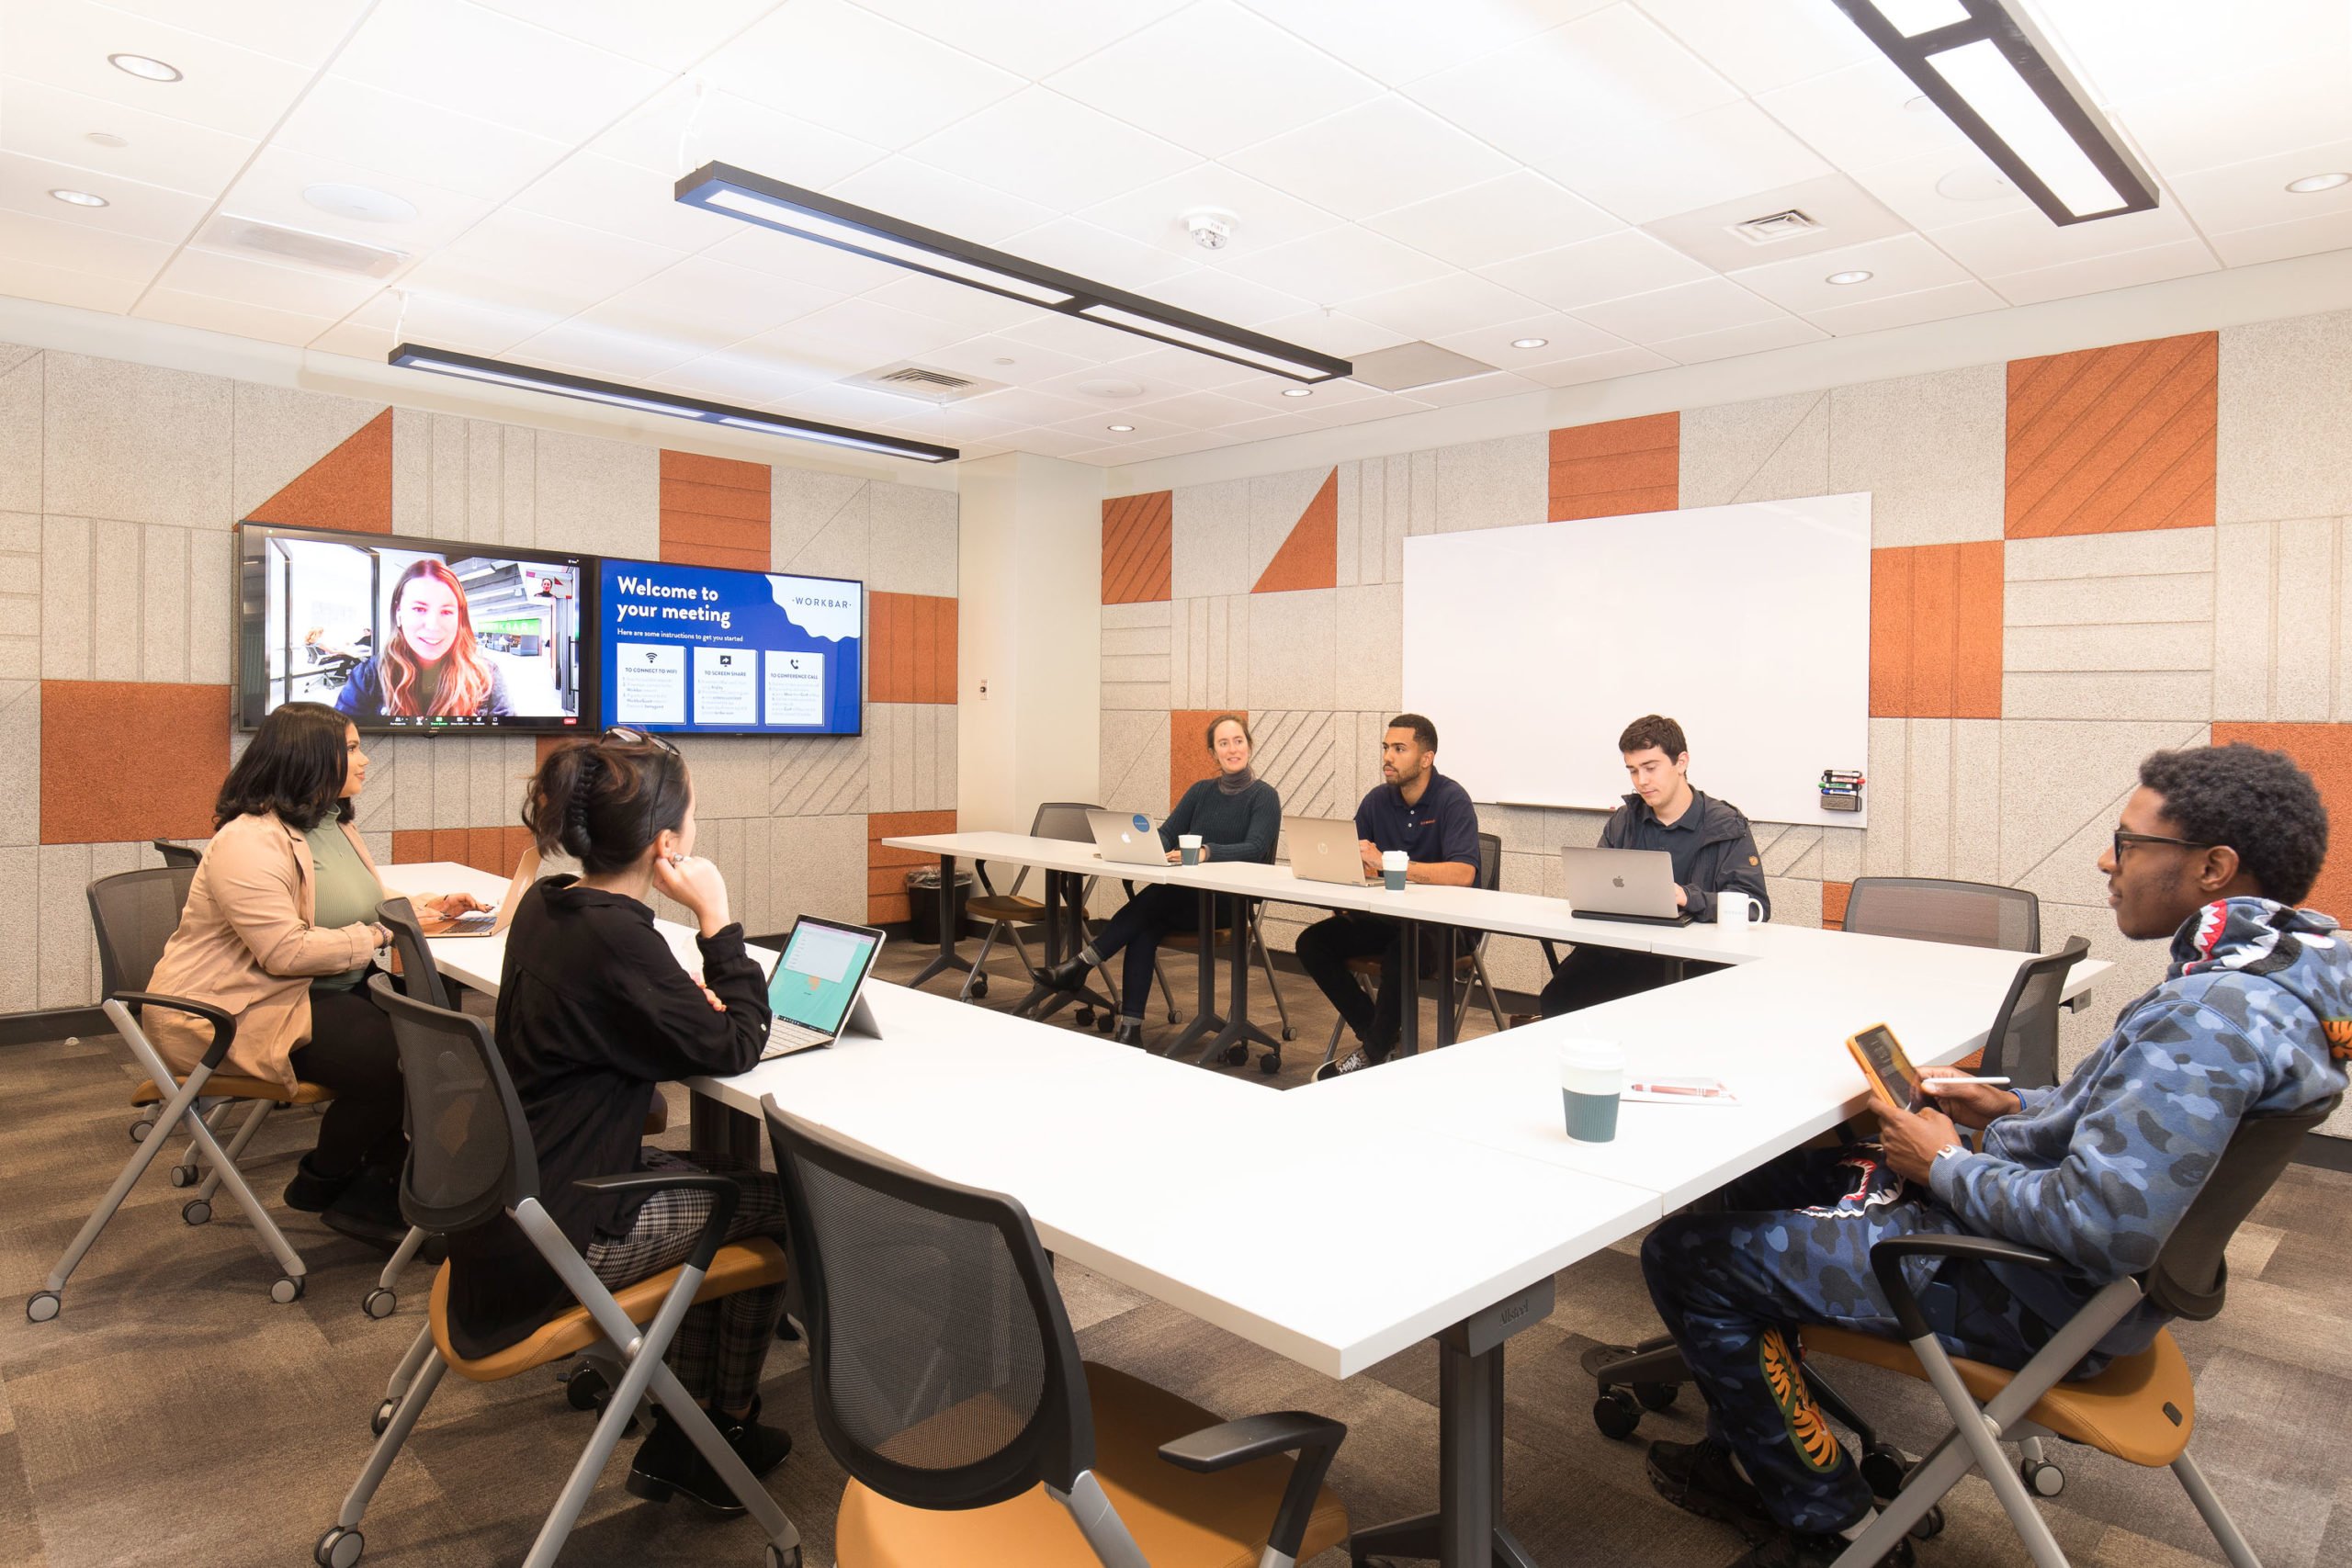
[{"x": 131, "y": 760}]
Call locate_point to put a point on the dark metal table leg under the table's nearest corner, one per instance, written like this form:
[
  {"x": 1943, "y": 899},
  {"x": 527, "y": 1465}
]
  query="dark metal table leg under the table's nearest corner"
[{"x": 1466, "y": 1532}]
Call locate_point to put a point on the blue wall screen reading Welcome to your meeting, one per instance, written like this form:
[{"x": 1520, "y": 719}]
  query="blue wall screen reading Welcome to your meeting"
[{"x": 702, "y": 650}]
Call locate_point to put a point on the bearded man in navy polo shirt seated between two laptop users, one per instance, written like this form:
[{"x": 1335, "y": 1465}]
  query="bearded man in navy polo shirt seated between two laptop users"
[{"x": 1431, "y": 819}]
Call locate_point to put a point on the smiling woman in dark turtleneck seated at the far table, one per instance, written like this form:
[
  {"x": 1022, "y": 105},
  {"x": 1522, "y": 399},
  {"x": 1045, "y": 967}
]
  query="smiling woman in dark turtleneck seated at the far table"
[{"x": 1238, "y": 817}]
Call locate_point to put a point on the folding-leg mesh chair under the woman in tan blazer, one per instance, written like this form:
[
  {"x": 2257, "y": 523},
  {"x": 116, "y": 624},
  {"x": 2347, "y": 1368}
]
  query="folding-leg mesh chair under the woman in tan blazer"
[{"x": 135, "y": 916}]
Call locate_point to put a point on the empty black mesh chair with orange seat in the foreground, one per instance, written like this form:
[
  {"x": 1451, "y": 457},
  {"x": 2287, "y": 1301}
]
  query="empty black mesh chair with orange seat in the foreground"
[{"x": 947, "y": 1381}]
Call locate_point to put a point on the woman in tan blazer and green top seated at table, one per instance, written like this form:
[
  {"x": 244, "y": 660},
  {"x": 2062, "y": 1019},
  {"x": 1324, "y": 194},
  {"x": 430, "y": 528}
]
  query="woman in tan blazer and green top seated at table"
[{"x": 279, "y": 932}]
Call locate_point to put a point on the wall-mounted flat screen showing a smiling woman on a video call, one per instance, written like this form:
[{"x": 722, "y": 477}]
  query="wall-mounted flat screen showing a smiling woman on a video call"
[{"x": 413, "y": 636}]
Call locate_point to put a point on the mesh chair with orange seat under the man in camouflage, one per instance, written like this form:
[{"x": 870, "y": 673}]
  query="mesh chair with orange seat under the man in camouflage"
[{"x": 2139, "y": 1409}]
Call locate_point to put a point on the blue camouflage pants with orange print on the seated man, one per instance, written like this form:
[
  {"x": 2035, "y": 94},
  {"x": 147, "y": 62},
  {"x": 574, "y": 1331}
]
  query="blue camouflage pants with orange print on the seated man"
[{"x": 1791, "y": 1249}]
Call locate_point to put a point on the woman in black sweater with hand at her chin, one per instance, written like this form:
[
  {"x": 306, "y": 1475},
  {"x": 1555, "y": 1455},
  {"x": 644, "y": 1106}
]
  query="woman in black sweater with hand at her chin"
[{"x": 594, "y": 1014}]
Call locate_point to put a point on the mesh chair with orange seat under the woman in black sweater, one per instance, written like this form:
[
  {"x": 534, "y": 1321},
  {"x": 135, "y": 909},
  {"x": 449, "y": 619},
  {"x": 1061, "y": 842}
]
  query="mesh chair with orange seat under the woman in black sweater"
[{"x": 469, "y": 1162}]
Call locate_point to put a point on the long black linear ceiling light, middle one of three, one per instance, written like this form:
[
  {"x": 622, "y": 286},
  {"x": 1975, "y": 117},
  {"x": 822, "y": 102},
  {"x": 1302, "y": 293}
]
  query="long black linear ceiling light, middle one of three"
[{"x": 808, "y": 215}]
